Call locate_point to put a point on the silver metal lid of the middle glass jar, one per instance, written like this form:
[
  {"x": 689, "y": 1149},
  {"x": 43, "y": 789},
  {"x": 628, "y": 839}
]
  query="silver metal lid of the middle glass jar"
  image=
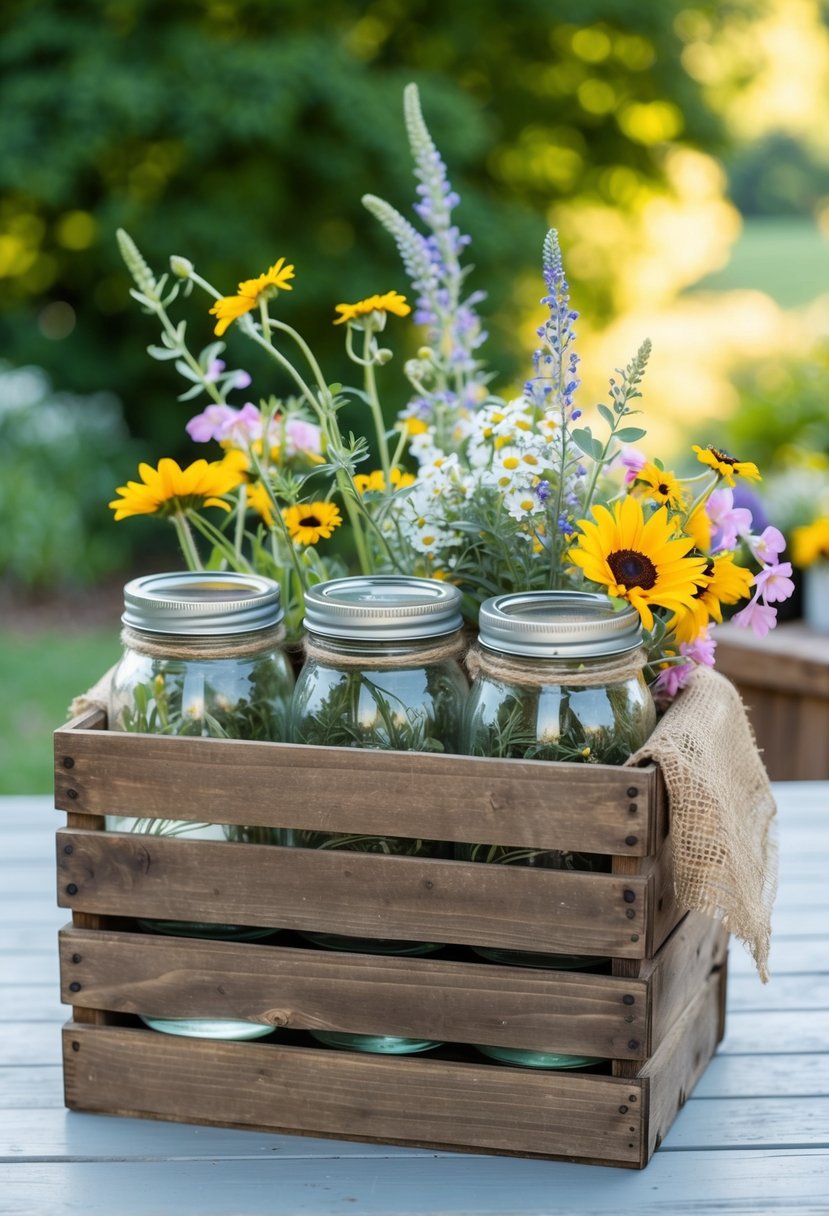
[{"x": 384, "y": 609}]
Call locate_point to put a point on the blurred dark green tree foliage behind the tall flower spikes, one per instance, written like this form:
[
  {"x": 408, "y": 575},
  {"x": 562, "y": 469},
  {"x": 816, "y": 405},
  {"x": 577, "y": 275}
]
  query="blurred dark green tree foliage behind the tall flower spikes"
[{"x": 245, "y": 132}]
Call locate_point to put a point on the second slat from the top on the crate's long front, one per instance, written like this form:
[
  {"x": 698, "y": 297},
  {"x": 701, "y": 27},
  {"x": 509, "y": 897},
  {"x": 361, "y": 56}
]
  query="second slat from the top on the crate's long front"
[{"x": 364, "y": 894}]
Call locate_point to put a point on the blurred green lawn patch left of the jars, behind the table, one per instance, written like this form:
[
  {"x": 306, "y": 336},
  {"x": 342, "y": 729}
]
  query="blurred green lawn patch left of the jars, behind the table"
[{"x": 40, "y": 675}]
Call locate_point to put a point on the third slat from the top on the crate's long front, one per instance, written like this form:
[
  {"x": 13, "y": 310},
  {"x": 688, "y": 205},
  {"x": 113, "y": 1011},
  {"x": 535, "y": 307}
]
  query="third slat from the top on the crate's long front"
[{"x": 324, "y": 990}]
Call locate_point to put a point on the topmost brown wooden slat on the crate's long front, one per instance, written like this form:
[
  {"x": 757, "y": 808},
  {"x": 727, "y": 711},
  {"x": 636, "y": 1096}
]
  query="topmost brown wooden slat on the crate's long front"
[{"x": 341, "y": 790}]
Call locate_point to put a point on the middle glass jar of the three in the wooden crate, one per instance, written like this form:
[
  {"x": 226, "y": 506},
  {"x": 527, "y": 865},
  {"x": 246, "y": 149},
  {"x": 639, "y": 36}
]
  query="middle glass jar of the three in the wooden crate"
[{"x": 381, "y": 672}]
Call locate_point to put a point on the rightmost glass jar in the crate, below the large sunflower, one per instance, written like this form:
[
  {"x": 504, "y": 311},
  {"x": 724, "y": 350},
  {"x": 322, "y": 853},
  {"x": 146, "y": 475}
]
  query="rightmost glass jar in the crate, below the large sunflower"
[{"x": 560, "y": 678}]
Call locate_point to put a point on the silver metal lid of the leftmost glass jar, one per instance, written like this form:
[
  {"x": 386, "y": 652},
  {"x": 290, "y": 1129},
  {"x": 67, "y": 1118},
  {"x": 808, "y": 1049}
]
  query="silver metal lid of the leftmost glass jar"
[{"x": 202, "y": 604}]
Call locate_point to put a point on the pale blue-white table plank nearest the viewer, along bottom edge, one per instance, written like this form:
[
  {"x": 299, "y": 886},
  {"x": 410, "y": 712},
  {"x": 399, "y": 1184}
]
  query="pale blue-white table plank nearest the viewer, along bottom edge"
[{"x": 747, "y": 1184}]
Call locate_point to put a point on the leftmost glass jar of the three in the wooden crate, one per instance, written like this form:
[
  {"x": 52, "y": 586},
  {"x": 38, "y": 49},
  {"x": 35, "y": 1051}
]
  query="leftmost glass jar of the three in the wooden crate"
[{"x": 202, "y": 657}]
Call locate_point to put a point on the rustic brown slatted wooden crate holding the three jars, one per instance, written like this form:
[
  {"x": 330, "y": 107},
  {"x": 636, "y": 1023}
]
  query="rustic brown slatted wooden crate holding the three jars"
[{"x": 656, "y": 1014}]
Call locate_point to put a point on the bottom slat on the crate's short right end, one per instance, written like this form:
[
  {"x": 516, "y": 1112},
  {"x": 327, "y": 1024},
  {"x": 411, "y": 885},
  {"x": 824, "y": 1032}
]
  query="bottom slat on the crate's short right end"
[{"x": 673, "y": 1072}]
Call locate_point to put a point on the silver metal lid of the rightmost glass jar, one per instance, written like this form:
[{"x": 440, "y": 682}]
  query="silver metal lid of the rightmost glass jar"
[{"x": 559, "y": 626}]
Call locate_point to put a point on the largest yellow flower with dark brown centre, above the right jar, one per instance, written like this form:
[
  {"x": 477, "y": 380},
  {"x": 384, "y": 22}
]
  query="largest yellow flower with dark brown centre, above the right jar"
[{"x": 639, "y": 560}]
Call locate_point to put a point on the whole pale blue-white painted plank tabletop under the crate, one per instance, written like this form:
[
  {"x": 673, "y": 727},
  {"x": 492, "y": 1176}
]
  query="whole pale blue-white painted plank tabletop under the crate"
[{"x": 753, "y": 1139}]
